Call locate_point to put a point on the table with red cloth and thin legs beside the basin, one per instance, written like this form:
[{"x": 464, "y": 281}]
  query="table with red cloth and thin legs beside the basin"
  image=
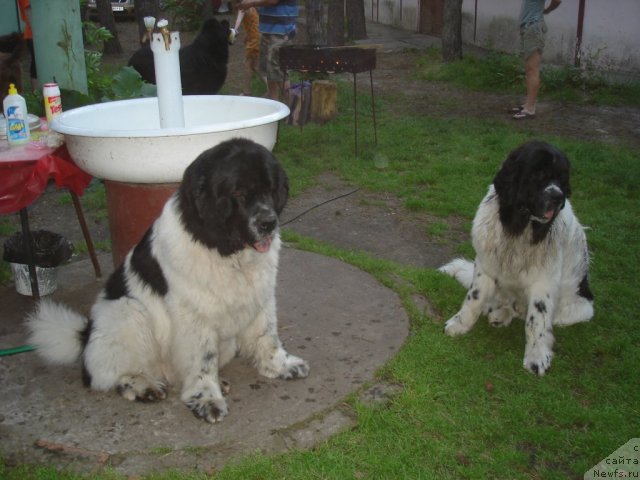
[{"x": 25, "y": 172}]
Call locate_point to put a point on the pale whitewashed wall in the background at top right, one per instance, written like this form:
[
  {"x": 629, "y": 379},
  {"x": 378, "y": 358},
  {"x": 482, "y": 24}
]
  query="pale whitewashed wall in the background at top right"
[{"x": 610, "y": 40}]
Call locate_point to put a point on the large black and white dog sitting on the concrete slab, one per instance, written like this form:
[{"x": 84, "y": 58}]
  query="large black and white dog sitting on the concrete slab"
[{"x": 198, "y": 289}]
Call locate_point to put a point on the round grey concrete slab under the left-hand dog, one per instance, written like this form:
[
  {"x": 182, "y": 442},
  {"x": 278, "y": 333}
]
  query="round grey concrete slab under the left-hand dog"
[{"x": 332, "y": 314}]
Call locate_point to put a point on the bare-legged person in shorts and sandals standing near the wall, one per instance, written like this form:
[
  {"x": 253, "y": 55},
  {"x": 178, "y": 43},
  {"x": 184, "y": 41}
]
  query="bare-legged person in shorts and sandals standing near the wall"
[{"x": 533, "y": 30}]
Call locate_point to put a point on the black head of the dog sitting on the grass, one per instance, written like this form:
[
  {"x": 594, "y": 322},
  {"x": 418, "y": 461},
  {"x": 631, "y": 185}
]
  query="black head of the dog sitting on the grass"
[{"x": 532, "y": 186}]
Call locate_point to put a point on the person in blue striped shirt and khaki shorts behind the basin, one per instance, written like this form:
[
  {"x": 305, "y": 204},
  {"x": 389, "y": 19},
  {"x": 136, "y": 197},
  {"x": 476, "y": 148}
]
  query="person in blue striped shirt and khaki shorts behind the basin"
[{"x": 278, "y": 20}]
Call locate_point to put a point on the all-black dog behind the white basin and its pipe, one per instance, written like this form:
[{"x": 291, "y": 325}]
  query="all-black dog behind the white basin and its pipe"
[{"x": 203, "y": 63}]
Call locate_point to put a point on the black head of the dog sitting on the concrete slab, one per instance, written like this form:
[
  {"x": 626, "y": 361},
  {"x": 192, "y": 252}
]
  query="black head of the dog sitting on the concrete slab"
[{"x": 231, "y": 196}]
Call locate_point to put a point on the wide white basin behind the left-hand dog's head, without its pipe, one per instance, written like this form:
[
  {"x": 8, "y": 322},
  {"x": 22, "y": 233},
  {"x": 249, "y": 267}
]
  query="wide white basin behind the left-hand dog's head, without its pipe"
[{"x": 122, "y": 141}]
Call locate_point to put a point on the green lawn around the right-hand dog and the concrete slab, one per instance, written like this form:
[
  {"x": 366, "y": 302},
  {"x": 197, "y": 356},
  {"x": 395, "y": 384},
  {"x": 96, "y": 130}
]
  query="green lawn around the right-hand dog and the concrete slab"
[{"x": 467, "y": 408}]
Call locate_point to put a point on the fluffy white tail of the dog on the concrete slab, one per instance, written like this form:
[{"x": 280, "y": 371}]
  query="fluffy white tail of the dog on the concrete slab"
[{"x": 57, "y": 332}]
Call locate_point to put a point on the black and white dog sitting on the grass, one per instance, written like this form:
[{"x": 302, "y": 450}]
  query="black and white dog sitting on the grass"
[{"x": 531, "y": 254}]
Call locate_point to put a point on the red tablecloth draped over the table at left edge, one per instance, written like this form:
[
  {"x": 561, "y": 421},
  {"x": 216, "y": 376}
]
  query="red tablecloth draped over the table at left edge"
[{"x": 25, "y": 172}]
